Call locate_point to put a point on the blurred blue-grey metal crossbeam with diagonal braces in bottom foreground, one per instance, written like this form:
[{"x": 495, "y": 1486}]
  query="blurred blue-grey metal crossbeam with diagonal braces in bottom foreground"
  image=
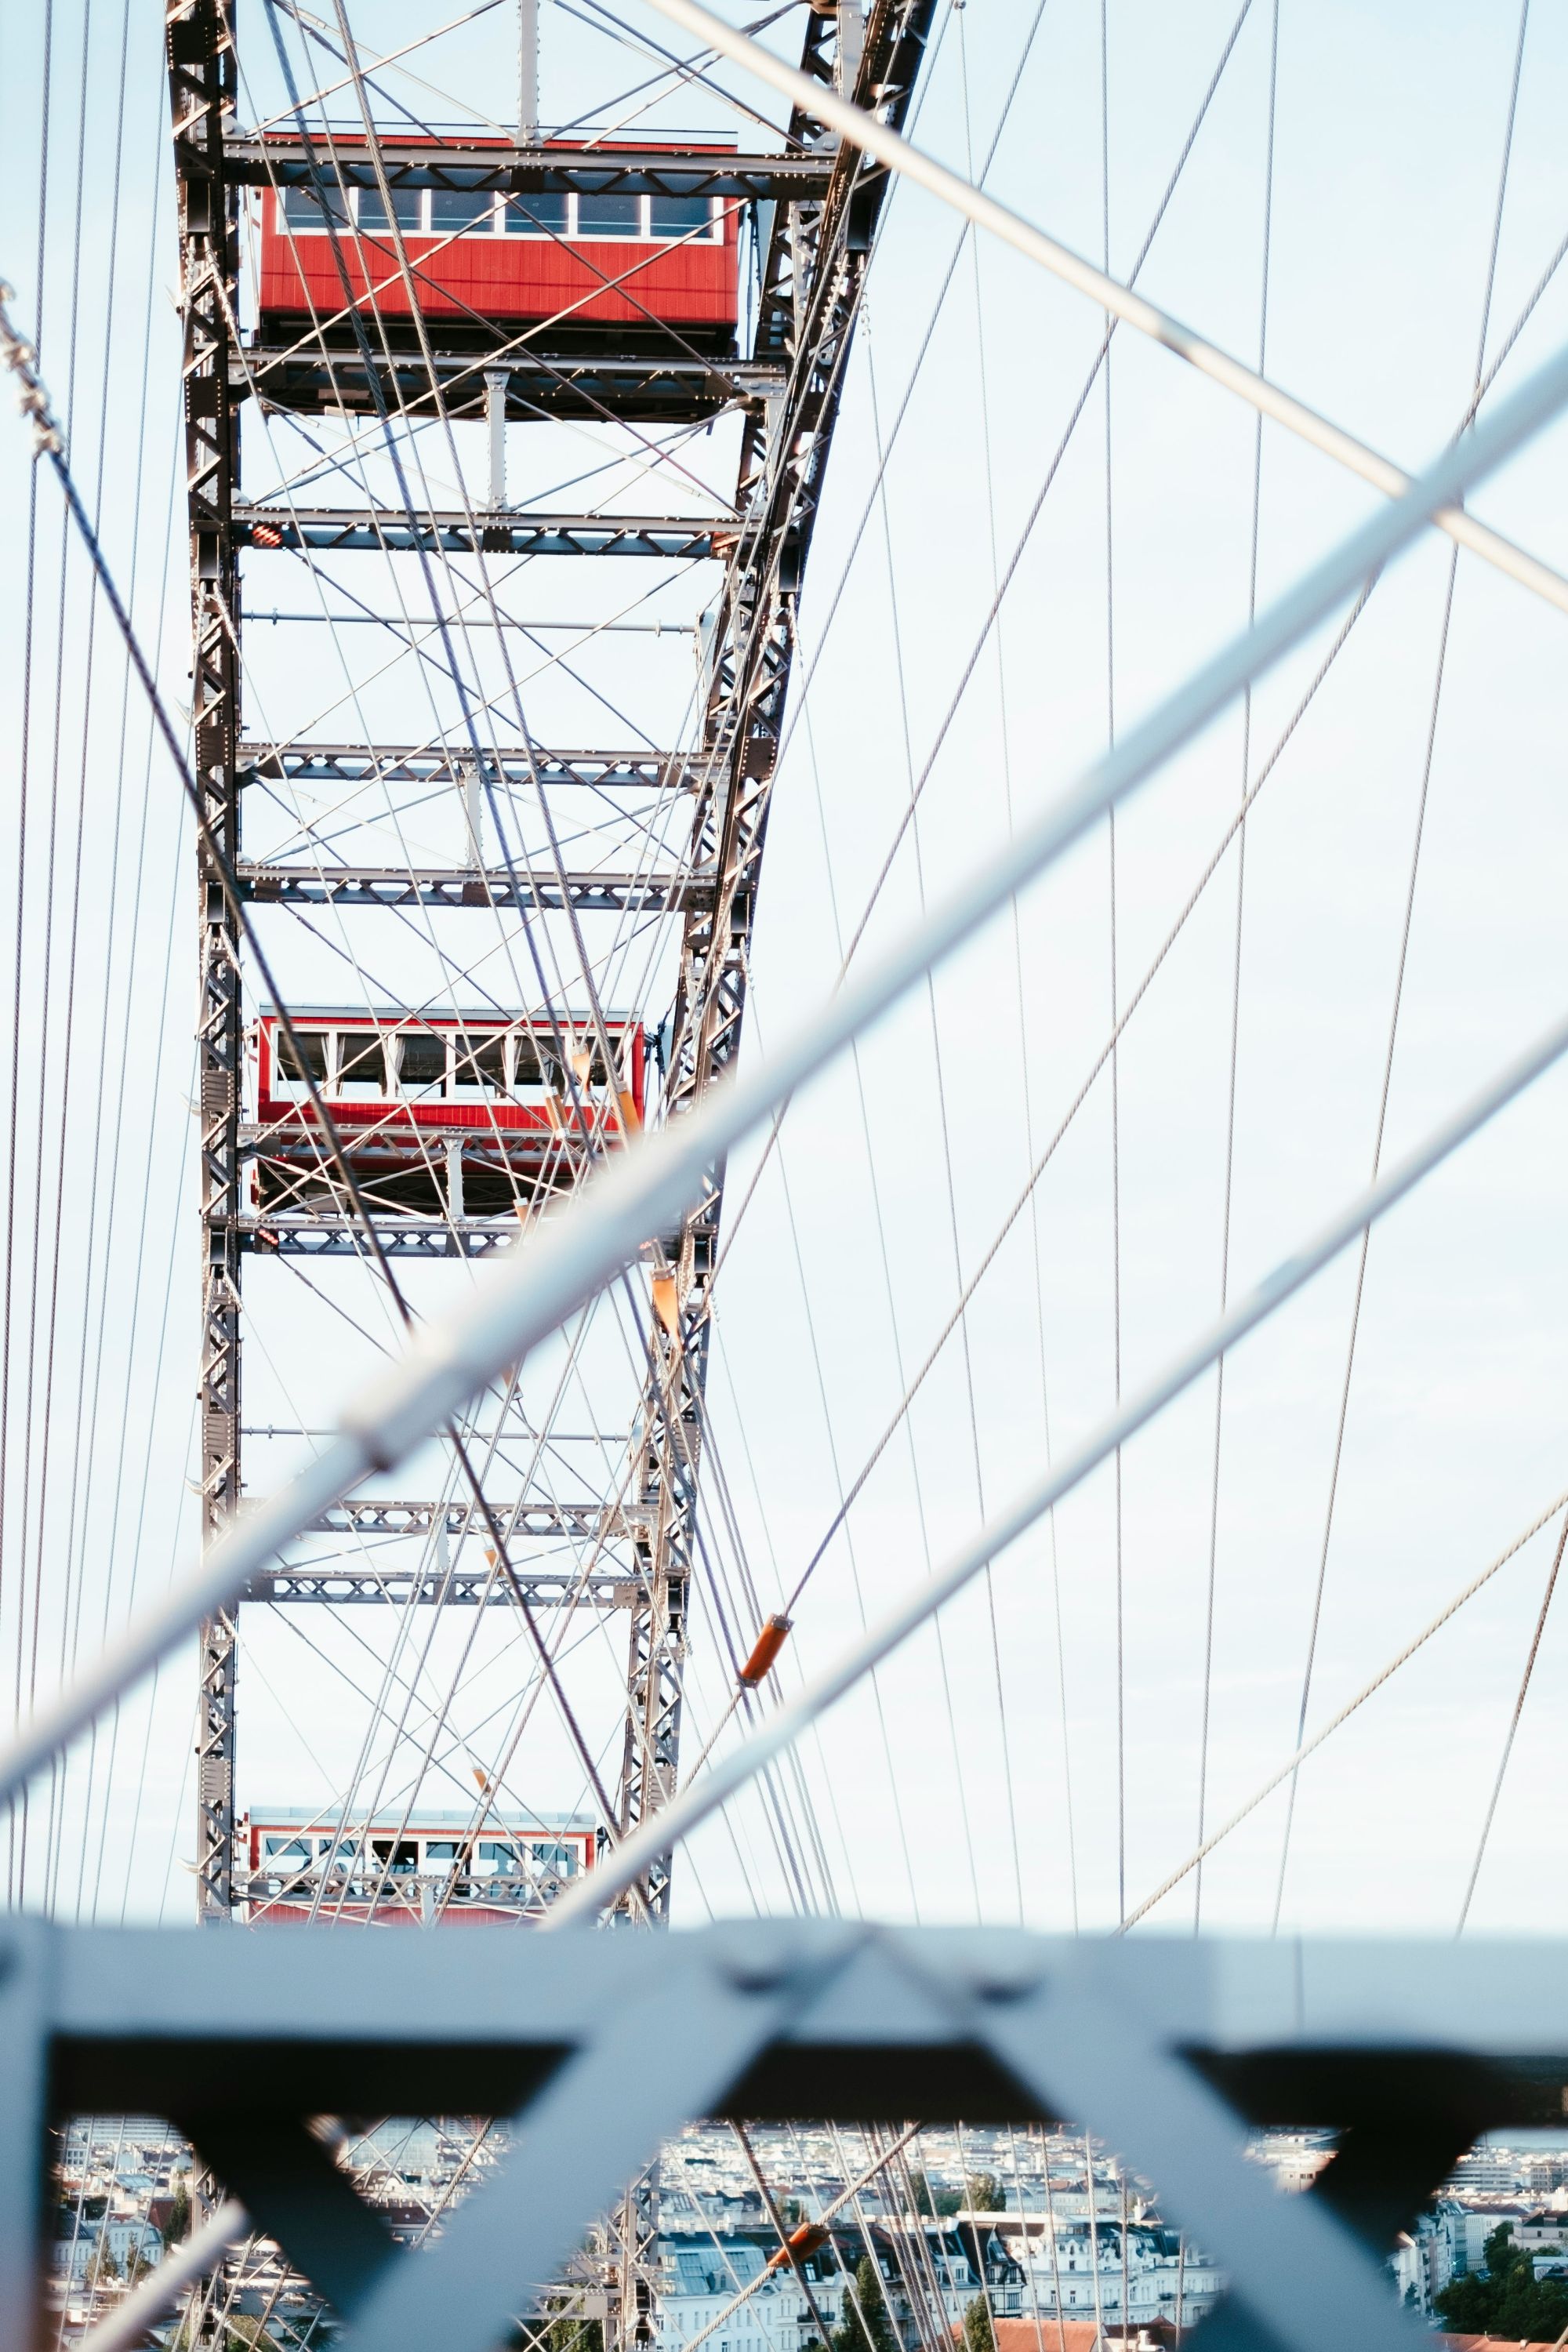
[{"x": 1167, "y": 2052}]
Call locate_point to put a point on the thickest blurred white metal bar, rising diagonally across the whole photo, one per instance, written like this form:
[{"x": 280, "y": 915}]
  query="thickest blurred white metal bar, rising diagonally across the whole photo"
[{"x": 650, "y": 1189}]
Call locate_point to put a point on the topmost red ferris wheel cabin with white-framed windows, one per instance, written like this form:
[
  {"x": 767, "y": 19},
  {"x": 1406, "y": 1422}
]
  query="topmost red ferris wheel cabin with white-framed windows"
[{"x": 570, "y": 260}]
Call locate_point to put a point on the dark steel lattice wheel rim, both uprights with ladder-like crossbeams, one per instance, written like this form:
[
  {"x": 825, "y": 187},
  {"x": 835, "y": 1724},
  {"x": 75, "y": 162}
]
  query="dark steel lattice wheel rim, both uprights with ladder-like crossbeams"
[{"x": 815, "y": 208}]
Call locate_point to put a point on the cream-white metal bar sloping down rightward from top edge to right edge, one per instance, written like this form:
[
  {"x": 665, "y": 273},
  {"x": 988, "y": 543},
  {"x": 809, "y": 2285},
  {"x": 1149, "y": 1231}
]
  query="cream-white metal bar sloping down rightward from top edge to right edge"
[{"x": 885, "y": 145}]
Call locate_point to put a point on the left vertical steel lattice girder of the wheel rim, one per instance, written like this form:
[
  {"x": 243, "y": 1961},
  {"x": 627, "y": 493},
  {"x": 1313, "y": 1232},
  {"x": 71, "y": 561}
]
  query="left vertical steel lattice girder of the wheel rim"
[{"x": 203, "y": 91}]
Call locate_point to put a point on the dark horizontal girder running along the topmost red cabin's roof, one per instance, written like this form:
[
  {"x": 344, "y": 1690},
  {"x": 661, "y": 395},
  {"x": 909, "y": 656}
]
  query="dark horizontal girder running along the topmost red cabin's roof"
[{"x": 279, "y": 159}]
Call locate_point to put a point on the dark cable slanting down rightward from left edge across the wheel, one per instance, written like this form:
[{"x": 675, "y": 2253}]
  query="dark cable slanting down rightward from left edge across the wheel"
[{"x": 48, "y": 443}]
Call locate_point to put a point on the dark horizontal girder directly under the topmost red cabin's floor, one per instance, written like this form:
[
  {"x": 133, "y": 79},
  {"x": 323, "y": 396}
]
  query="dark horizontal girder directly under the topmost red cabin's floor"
[{"x": 549, "y": 380}]
